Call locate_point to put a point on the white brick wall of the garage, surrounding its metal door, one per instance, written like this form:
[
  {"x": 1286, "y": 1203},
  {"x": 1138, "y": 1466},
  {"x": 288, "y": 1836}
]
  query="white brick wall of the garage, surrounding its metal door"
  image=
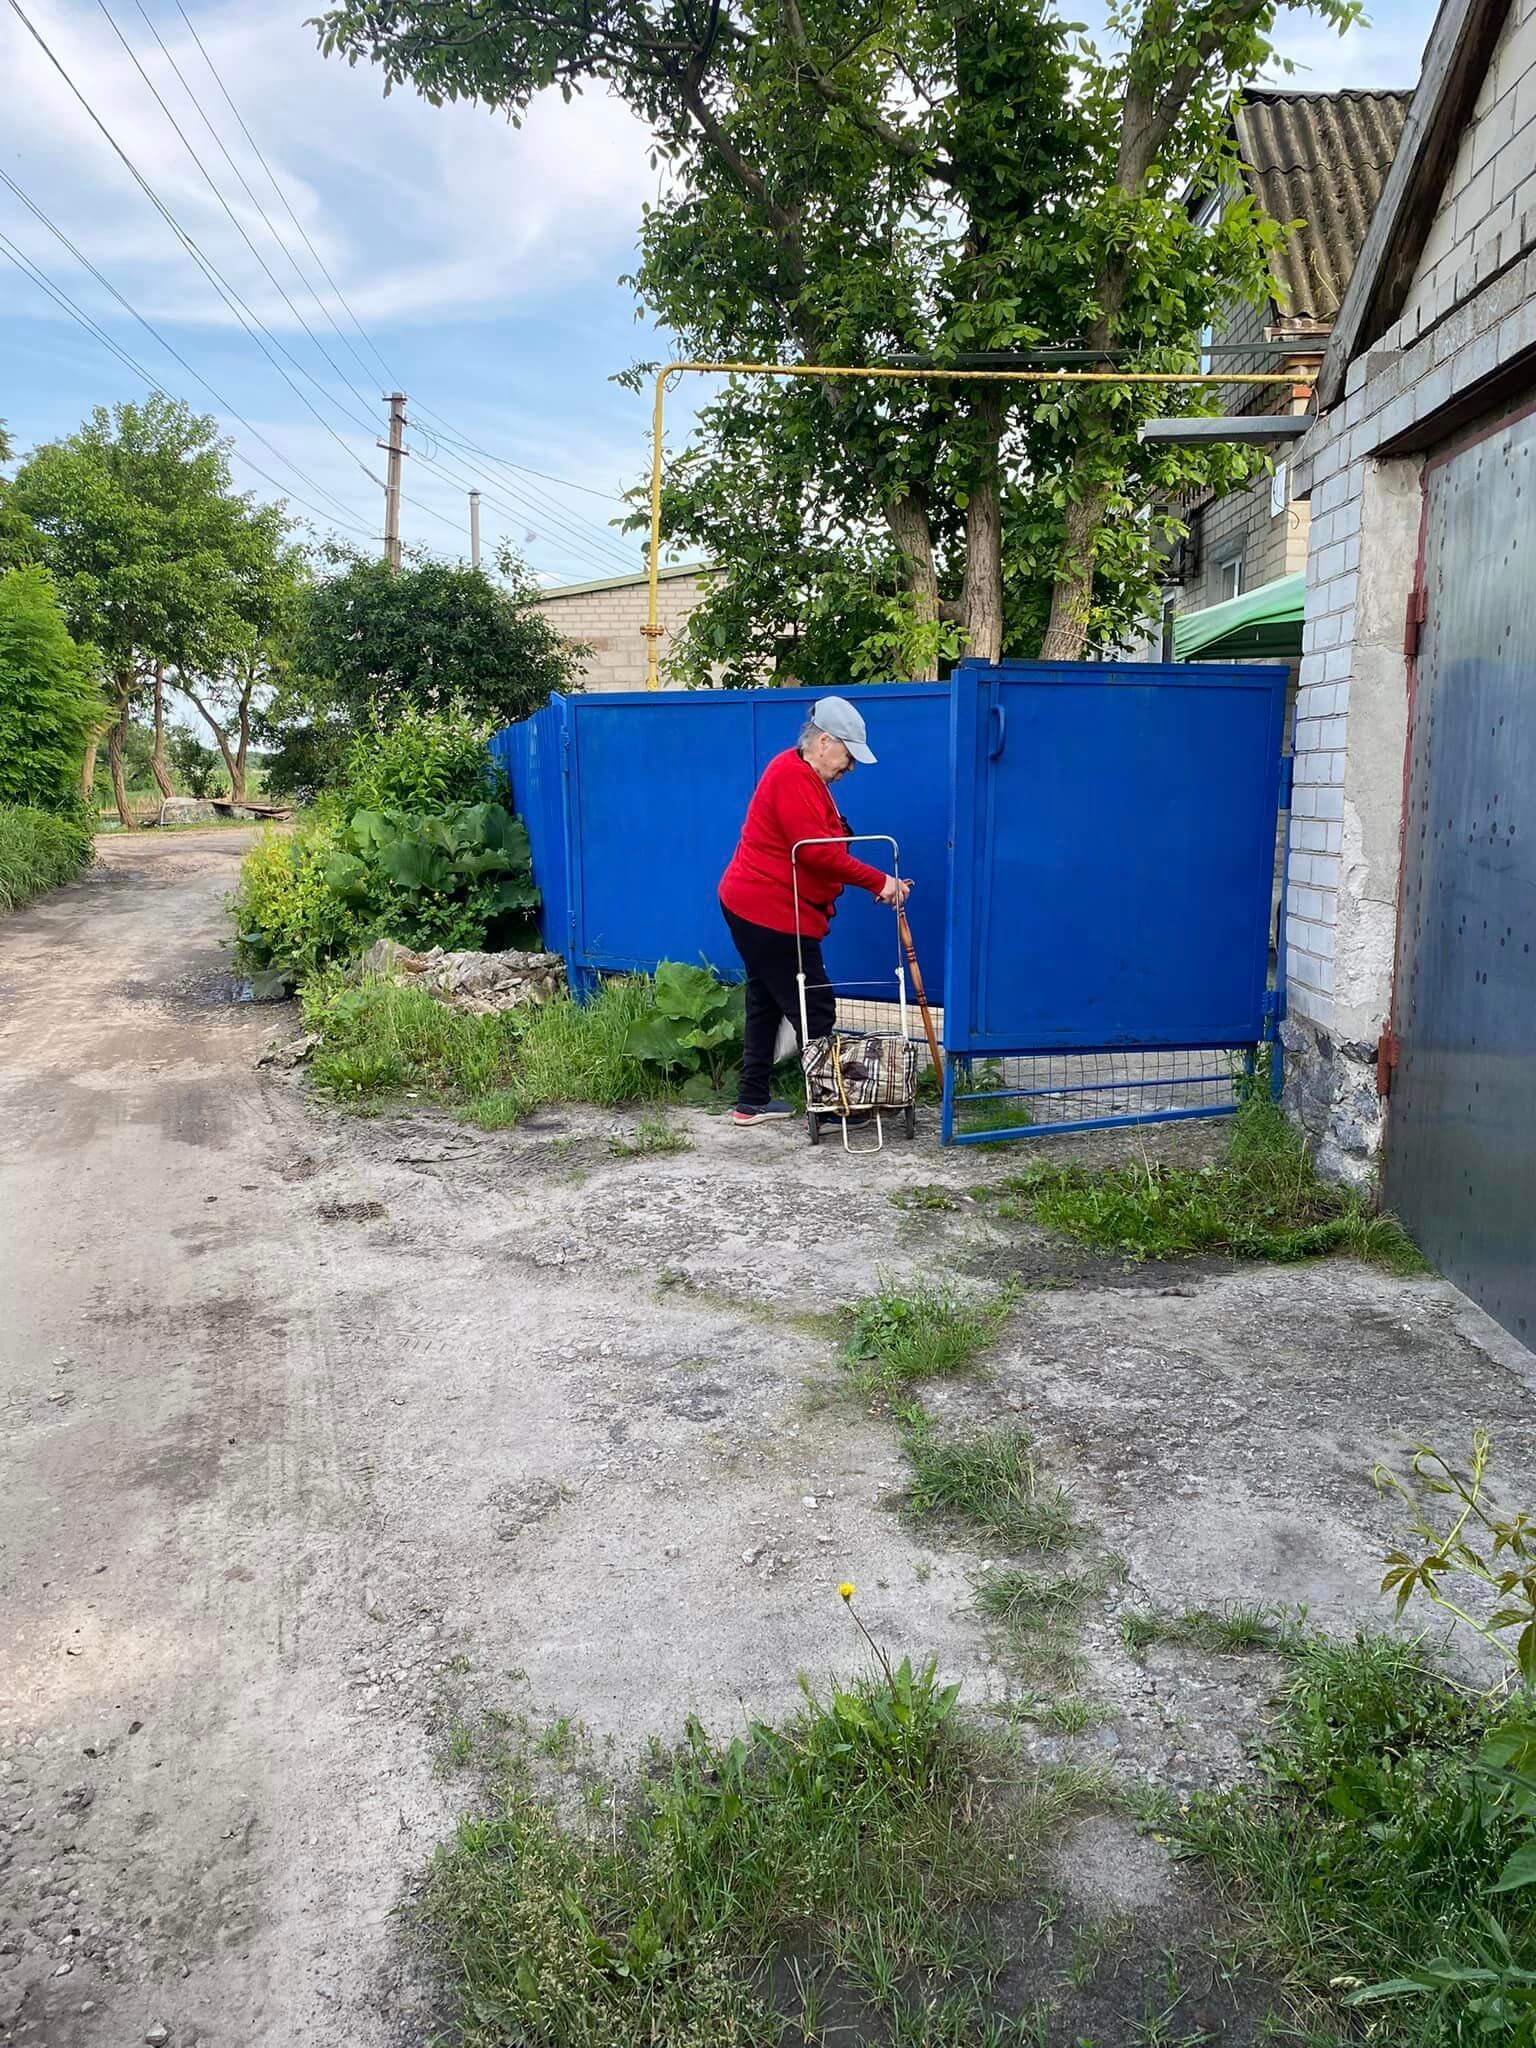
[{"x": 1465, "y": 325}]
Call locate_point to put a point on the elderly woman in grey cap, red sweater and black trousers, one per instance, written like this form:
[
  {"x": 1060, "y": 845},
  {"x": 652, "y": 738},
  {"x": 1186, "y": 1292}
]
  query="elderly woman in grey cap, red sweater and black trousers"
[{"x": 794, "y": 804}]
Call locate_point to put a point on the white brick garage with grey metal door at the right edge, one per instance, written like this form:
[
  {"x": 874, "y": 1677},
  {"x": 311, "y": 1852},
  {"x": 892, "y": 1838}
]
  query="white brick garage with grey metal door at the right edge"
[{"x": 1412, "y": 904}]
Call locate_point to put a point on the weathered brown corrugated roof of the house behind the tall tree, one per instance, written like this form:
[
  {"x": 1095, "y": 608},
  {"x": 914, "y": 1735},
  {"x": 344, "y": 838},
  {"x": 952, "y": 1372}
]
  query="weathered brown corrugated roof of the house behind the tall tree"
[{"x": 1320, "y": 159}]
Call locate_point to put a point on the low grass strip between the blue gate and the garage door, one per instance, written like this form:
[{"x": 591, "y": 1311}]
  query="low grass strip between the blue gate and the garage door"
[{"x": 1265, "y": 1201}]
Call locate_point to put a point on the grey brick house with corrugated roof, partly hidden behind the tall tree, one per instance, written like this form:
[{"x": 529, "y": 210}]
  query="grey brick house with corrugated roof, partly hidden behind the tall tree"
[{"x": 1316, "y": 159}]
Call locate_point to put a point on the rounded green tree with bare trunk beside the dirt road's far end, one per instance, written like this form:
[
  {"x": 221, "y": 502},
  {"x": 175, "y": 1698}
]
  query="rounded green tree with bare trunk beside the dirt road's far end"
[{"x": 151, "y": 548}]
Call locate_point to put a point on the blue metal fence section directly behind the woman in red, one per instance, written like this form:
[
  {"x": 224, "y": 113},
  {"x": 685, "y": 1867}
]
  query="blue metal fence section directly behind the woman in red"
[{"x": 656, "y": 787}]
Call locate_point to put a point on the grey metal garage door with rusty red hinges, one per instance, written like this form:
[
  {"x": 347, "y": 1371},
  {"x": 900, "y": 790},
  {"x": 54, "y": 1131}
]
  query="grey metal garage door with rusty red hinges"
[{"x": 1461, "y": 1144}]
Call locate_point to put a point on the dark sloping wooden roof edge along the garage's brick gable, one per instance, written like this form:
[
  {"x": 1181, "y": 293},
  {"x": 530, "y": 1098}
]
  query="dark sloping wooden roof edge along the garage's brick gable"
[{"x": 1455, "y": 62}]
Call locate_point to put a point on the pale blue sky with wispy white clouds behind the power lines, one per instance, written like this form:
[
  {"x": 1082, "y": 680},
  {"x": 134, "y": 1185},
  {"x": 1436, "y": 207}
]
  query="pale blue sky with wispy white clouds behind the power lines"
[{"x": 470, "y": 263}]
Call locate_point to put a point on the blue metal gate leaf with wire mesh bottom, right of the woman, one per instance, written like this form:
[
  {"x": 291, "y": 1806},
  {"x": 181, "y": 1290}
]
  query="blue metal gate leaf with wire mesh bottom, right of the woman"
[{"x": 1111, "y": 892}]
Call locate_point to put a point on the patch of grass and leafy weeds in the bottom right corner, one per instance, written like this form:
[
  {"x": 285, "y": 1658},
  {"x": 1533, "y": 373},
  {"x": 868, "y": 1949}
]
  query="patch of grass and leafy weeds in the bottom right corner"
[{"x": 1369, "y": 1848}]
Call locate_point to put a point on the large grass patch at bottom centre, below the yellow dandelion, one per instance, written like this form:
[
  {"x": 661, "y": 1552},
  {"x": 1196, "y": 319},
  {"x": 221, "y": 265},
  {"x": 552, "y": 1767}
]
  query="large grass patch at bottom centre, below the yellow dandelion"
[{"x": 833, "y": 1871}]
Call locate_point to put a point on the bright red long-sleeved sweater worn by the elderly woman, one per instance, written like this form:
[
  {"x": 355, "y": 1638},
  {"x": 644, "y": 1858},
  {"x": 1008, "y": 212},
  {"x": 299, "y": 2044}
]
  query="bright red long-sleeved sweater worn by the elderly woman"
[{"x": 792, "y": 804}]
